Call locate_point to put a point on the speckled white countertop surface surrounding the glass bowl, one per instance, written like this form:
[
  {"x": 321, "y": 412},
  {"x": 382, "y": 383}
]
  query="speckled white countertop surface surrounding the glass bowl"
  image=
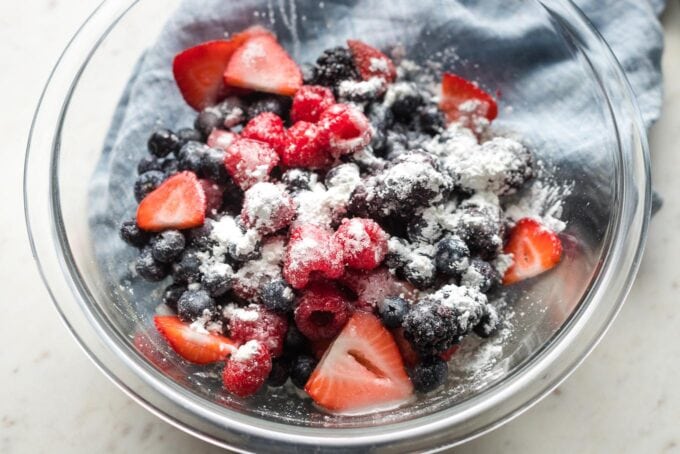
[{"x": 624, "y": 398}]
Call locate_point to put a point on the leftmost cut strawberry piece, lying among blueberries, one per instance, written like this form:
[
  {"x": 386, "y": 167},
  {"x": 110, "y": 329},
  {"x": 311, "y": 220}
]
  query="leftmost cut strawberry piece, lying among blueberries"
[{"x": 178, "y": 203}]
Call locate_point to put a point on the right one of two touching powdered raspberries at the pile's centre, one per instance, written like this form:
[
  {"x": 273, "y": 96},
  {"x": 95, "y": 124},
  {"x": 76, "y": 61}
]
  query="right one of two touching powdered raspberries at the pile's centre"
[{"x": 363, "y": 242}]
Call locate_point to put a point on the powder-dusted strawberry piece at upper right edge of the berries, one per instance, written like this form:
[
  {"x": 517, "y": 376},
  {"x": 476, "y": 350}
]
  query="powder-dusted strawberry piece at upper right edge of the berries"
[{"x": 464, "y": 100}]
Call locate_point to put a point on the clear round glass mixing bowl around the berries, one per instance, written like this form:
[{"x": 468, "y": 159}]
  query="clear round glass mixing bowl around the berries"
[{"x": 76, "y": 196}]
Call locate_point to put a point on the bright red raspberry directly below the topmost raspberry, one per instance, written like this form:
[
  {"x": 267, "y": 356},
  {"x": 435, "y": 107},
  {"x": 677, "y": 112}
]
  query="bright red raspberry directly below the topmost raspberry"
[{"x": 306, "y": 146}]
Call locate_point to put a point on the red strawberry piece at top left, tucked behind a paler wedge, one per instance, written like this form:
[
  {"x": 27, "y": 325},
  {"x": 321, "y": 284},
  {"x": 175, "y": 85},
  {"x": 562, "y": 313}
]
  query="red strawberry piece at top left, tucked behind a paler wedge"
[{"x": 199, "y": 70}]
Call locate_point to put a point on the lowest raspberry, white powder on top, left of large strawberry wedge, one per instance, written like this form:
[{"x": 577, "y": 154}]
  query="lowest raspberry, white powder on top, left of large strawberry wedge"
[{"x": 247, "y": 369}]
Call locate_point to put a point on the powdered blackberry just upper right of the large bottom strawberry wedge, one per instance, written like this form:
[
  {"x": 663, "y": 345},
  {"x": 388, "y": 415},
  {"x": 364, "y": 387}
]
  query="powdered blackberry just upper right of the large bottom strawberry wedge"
[{"x": 431, "y": 327}]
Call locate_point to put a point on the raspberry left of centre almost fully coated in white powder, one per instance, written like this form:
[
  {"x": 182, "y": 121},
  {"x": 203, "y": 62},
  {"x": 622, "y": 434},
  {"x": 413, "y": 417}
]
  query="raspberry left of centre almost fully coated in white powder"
[{"x": 267, "y": 208}]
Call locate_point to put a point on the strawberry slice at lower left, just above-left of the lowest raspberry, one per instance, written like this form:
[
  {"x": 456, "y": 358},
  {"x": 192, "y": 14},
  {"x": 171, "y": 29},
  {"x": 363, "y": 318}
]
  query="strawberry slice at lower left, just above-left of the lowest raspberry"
[{"x": 199, "y": 348}]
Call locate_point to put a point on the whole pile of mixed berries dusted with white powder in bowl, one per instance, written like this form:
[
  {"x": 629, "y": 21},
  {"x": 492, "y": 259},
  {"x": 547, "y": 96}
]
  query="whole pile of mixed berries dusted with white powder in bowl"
[{"x": 340, "y": 225}]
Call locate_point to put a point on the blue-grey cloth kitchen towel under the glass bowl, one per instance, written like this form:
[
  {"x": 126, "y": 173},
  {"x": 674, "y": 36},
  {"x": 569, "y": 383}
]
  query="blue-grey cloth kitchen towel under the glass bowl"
[{"x": 515, "y": 39}]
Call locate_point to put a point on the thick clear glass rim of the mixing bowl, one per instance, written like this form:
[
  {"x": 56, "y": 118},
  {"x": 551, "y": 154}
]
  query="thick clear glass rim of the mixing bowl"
[{"x": 497, "y": 404}]
